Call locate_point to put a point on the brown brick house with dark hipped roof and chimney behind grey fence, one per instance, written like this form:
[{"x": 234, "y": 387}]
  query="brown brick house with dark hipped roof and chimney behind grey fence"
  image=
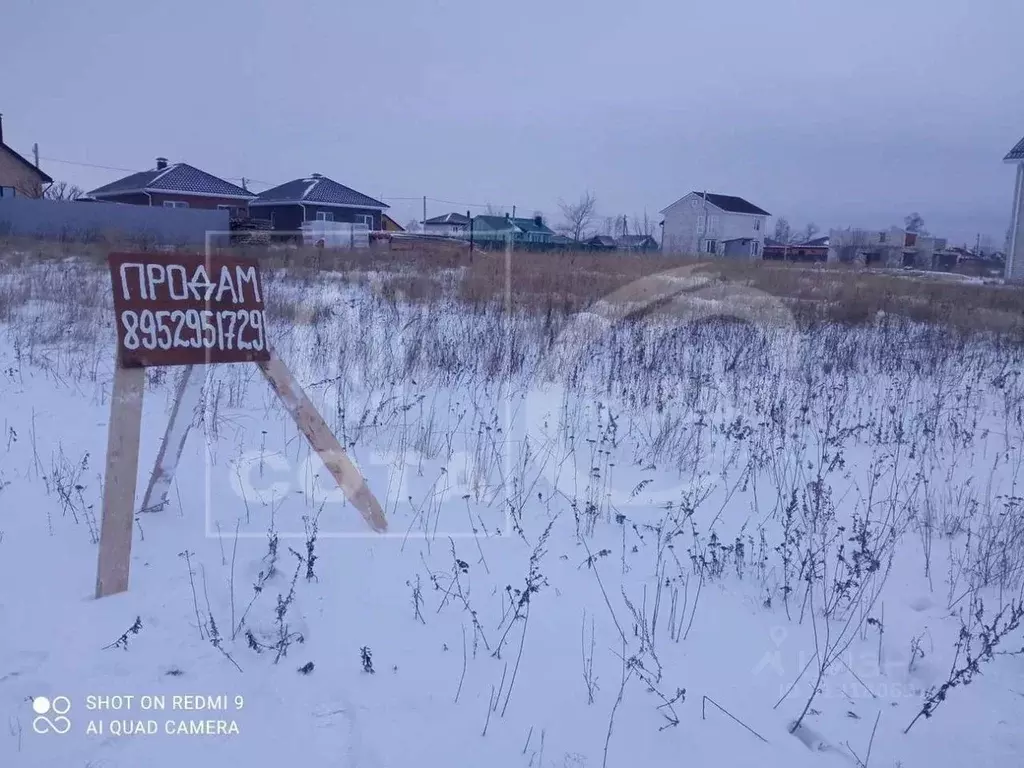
[{"x": 177, "y": 186}]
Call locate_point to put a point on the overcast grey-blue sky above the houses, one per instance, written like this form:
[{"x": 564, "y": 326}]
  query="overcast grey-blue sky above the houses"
[{"x": 837, "y": 112}]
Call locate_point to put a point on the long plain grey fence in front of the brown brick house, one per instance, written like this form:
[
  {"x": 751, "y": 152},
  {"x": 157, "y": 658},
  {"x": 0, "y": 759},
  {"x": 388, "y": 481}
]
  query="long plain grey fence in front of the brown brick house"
[{"x": 93, "y": 222}]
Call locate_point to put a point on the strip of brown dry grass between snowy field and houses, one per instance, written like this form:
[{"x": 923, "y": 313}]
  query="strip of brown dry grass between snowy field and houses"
[{"x": 564, "y": 283}]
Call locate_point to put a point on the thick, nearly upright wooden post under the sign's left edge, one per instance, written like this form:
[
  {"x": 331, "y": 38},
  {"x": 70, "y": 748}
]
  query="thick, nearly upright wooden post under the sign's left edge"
[{"x": 119, "y": 488}]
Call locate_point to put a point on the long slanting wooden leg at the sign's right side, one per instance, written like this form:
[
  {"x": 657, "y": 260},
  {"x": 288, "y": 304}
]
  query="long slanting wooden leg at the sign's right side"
[{"x": 322, "y": 440}]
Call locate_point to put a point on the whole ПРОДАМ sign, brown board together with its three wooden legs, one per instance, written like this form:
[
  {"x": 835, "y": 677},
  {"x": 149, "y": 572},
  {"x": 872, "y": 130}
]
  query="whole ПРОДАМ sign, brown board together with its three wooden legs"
[{"x": 192, "y": 311}]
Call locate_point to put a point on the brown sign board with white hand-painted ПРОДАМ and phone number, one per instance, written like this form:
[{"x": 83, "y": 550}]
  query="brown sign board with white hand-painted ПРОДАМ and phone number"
[{"x": 175, "y": 310}]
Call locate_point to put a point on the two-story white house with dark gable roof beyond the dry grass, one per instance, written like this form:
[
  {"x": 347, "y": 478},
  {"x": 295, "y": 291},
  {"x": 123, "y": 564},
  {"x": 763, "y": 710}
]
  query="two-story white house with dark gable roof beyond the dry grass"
[{"x": 709, "y": 224}]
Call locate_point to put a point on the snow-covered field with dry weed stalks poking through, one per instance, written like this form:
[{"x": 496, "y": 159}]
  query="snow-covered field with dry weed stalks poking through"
[{"x": 634, "y": 542}]
